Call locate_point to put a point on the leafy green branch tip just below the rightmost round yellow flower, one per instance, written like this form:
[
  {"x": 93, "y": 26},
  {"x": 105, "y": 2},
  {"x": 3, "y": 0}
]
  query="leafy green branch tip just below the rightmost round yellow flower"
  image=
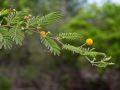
[{"x": 90, "y": 53}]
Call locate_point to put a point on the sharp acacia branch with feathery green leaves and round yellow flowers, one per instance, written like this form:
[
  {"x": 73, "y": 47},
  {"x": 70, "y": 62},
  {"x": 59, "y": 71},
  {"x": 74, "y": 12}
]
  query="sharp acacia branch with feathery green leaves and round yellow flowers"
[{"x": 15, "y": 24}]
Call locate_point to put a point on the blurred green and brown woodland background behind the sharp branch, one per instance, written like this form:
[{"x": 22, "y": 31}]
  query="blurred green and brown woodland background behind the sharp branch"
[{"x": 32, "y": 67}]
